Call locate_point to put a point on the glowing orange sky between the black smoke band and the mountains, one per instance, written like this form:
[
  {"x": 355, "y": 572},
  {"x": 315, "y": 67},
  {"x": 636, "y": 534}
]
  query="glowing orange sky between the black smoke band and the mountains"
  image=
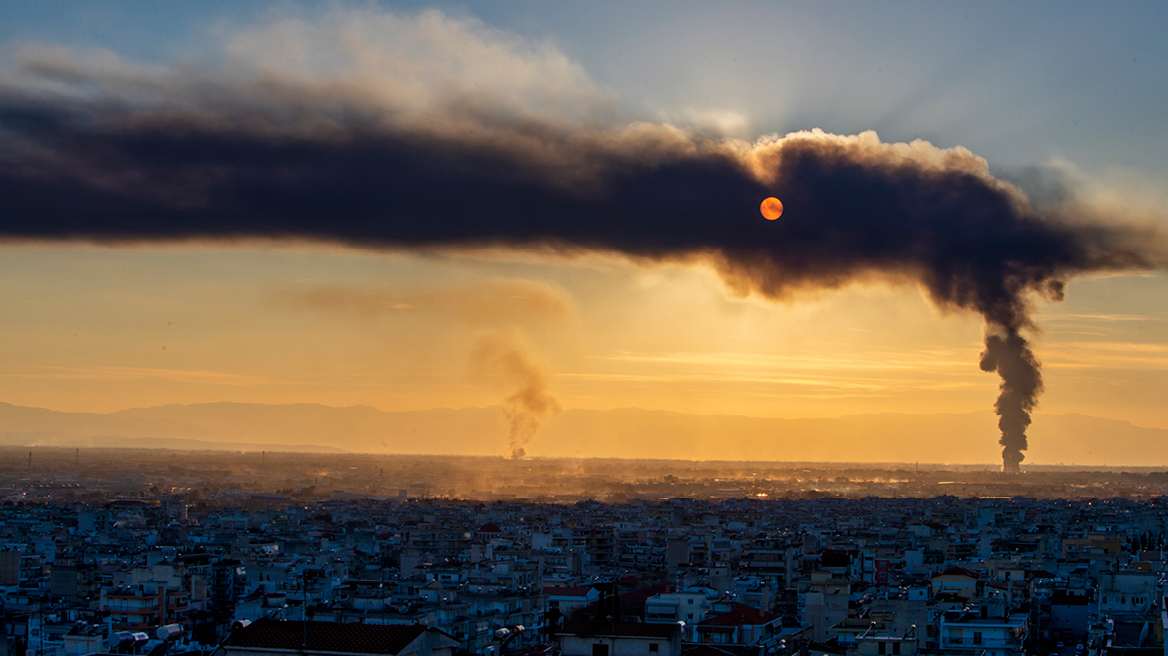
[{"x": 103, "y": 330}]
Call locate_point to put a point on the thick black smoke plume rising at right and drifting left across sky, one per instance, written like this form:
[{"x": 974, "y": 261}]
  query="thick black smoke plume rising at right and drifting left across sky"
[{"x": 260, "y": 159}]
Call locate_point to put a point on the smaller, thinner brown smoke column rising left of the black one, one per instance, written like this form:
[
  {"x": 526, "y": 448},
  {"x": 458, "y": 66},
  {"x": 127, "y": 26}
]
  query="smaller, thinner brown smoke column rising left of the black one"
[{"x": 507, "y": 358}]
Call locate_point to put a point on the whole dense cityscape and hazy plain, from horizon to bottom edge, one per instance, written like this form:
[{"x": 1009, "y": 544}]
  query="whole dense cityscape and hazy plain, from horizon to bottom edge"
[{"x": 157, "y": 553}]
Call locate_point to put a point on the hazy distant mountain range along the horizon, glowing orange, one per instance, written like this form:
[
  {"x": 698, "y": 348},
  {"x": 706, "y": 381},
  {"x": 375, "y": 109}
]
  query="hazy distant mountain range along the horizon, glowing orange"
[{"x": 971, "y": 438}]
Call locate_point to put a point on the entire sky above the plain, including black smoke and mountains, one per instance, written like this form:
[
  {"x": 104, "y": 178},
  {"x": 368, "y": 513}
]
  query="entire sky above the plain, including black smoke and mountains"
[{"x": 555, "y": 221}]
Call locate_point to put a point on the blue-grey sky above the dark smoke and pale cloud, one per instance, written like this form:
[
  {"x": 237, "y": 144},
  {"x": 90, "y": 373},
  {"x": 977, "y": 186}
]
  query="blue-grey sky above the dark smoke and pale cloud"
[{"x": 1018, "y": 83}]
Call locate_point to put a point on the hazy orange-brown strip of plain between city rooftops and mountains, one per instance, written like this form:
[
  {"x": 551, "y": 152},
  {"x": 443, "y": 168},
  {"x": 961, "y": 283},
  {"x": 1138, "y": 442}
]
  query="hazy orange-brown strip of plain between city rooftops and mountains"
[{"x": 226, "y": 480}]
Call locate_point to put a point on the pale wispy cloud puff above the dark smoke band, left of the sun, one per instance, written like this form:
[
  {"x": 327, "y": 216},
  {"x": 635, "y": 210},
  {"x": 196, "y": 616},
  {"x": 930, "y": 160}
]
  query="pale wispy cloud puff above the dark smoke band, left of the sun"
[{"x": 421, "y": 67}]
